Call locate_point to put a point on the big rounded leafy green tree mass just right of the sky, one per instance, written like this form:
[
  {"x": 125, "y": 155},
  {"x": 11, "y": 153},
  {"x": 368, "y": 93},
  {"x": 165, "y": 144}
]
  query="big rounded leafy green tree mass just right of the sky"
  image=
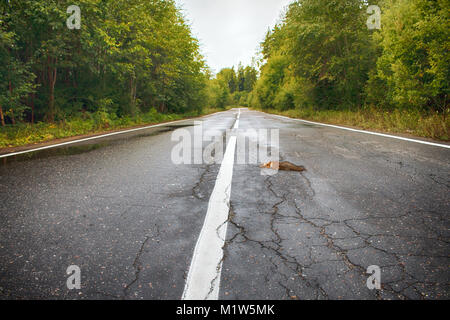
[{"x": 323, "y": 45}]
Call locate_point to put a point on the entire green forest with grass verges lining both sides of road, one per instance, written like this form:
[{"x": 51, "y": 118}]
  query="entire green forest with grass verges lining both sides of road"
[{"x": 135, "y": 62}]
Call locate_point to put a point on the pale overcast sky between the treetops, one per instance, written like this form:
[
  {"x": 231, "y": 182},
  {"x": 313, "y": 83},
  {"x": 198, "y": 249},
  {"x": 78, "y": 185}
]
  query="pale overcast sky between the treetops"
[{"x": 230, "y": 30}]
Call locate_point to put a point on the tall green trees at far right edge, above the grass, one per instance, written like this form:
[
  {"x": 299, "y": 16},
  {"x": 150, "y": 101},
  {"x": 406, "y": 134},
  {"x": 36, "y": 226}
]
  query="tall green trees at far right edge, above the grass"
[{"x": 414, "y": 66}]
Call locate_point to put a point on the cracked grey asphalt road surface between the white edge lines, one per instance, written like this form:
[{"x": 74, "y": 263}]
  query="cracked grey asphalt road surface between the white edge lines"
[{"x": 121, "y": 210}]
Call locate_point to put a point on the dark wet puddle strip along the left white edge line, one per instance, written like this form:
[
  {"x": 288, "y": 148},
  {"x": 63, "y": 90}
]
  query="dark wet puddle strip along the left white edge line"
[{"x": 84, "y": 147}]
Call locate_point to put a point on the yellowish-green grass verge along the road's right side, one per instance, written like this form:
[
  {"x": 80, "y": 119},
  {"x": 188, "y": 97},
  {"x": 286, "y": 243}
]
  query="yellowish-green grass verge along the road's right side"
[{"x": 432, "y": 125}]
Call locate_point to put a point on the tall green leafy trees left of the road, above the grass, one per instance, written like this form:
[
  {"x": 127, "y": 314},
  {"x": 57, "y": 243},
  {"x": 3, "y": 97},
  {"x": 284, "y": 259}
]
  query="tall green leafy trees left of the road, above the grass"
[{"x": 128, "y": 57}]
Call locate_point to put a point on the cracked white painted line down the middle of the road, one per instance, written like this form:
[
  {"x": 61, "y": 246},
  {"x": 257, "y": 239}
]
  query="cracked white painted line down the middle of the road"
[{"x": 203, "y": 280}]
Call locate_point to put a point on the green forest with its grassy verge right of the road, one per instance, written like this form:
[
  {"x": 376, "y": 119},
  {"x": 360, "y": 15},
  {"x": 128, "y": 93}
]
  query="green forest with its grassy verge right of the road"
[{"x": 322, "y": 62}]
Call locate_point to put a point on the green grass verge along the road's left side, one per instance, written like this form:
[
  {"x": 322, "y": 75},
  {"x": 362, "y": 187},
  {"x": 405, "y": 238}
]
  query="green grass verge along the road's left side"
[{"x": 88, "y": 123}]
